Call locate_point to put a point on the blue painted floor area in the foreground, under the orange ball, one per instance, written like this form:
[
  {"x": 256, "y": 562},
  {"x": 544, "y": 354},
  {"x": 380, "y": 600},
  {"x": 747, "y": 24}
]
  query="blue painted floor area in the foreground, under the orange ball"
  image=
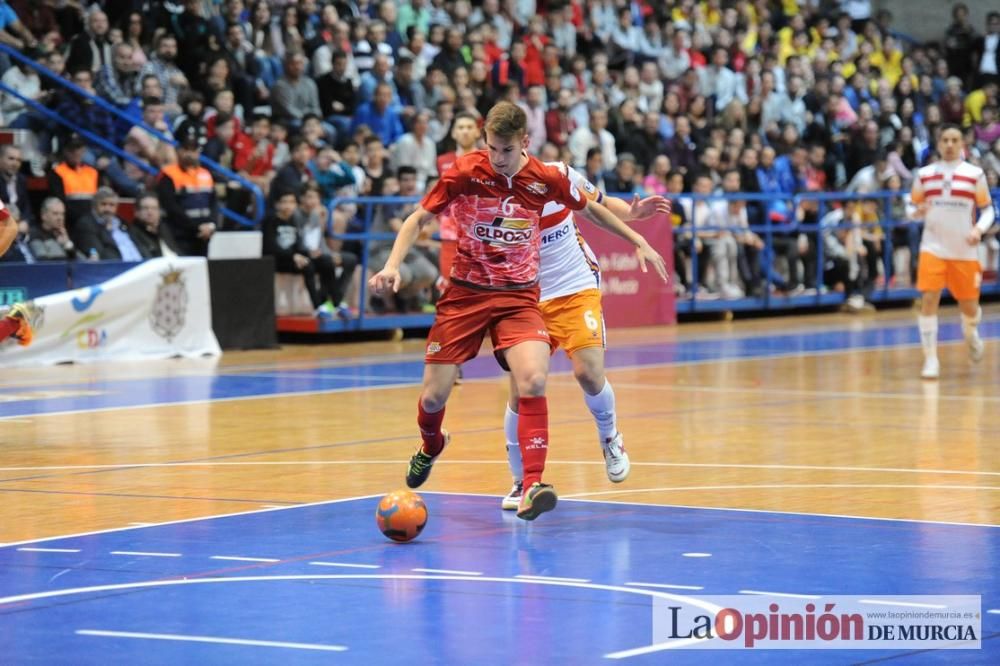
[{"x": 318, "y": 584}]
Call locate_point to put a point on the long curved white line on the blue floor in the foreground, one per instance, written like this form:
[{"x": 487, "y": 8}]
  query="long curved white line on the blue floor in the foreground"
[{"x": 710, "y": 607}]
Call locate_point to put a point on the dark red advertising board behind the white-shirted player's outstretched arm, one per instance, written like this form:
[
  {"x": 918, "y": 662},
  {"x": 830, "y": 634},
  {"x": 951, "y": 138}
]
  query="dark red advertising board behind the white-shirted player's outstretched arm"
[{"x": 631, "y": 297}]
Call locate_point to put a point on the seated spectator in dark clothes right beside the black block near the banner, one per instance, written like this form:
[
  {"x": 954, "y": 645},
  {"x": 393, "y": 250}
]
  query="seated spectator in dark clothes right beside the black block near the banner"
[{"x": 284, "y": 242}]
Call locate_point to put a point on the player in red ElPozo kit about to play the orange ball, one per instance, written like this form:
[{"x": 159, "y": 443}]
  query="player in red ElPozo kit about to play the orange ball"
[{"x": 497, "y": 195}]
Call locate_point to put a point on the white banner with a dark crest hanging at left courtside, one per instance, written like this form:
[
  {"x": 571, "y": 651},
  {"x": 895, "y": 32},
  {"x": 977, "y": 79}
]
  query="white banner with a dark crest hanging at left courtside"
[{"x": 159, "y": 309}]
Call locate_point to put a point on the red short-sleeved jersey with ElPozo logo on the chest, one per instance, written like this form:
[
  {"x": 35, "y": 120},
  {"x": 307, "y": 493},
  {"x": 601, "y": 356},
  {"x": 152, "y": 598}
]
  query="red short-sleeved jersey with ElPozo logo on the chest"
[{"x": 499, "y": 218}]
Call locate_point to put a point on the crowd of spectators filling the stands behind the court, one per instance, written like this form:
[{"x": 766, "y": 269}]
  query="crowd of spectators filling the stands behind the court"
[{"x": 312, "y": 100}]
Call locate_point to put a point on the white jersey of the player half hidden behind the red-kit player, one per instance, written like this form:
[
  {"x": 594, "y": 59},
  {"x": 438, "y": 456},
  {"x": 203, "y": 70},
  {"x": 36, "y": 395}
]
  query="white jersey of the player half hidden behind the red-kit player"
[{"x": 568, "y": 265}]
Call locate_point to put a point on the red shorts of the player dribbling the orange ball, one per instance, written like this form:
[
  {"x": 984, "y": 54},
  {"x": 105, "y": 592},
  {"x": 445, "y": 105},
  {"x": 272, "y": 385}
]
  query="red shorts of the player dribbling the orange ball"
[{"x": 464, "y": 315}]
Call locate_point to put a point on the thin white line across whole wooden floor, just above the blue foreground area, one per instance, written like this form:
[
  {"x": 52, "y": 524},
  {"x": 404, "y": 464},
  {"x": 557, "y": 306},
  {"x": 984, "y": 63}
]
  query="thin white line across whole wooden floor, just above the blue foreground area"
[{"x": 278, "y": 463}]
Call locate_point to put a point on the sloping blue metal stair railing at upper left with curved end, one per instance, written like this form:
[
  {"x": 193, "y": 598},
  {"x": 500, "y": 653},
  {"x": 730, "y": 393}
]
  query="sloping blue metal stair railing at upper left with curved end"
[{"x": 259, "y": 201}]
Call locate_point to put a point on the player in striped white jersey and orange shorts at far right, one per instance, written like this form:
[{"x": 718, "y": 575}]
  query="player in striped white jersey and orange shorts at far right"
[{"x": 949, "y": 195}]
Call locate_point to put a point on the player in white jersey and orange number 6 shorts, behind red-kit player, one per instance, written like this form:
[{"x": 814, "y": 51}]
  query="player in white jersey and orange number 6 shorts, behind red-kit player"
[{"x": 570, "y": 302}]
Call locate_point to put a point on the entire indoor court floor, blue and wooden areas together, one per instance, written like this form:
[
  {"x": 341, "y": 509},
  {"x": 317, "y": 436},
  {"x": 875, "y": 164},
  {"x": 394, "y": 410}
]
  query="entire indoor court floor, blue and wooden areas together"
[{"x": 222, "y": 511}]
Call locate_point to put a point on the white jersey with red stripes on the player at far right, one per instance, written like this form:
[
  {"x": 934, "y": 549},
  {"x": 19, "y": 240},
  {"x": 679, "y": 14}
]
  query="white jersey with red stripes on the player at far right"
[{"x": 954, "y": 192}]
